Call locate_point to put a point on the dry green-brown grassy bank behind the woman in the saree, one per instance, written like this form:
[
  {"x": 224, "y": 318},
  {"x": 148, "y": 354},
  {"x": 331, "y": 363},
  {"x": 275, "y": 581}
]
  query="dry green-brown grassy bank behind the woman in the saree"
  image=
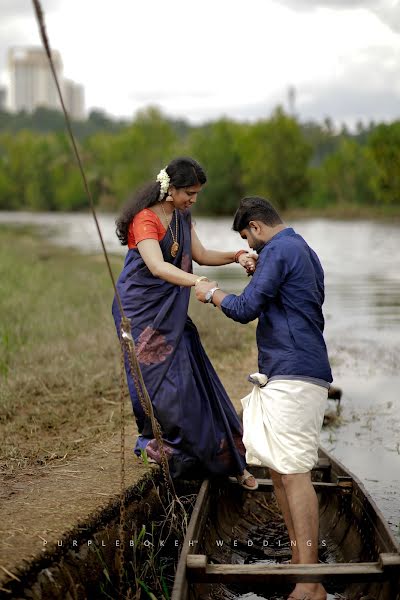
[{"x": 59, "y": 354}]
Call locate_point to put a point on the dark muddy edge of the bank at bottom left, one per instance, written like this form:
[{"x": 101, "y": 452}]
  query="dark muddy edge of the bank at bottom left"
[{"x": 71, "y": 564}]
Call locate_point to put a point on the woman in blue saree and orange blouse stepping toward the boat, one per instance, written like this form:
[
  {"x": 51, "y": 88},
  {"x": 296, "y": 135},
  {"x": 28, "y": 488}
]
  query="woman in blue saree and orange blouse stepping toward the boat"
[{"x": 201, "y": 430}]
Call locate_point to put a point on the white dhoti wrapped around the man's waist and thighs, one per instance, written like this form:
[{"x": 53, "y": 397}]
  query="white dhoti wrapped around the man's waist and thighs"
[{"x": 282, "y": 423}]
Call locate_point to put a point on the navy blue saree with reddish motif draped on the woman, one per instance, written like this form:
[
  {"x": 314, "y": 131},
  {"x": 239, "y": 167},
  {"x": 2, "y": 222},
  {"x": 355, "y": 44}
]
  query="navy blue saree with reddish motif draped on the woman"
[{"x": 201, "y": 430}]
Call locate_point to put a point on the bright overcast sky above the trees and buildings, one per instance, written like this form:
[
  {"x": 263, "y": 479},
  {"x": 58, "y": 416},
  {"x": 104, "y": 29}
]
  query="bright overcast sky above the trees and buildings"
[{"x": 200, "y": 60}]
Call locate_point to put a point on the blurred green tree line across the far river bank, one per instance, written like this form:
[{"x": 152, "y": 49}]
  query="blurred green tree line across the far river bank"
[{"x": 294, "y": 164}]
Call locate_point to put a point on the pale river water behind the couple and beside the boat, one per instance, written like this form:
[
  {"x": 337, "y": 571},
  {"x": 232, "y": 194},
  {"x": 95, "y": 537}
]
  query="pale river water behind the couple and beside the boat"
[{"x": 361, "y": 260}]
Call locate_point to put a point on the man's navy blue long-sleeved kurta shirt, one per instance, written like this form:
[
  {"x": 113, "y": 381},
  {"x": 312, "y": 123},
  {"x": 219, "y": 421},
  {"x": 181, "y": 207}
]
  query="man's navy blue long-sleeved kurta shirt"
[{"x": 286, "y": 293}]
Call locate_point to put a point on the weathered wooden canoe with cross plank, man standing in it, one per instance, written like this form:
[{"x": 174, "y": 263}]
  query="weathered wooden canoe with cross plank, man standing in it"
[{"x": 236, "y": 543}]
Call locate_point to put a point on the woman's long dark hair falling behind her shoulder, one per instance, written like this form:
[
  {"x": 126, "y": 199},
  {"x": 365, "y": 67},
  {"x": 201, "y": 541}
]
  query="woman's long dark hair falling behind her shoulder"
[{"x": 183, "y": 172}]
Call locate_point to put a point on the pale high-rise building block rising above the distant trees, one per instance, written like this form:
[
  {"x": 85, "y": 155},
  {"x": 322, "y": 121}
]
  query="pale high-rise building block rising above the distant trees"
[{"x": 32, "y": 84}]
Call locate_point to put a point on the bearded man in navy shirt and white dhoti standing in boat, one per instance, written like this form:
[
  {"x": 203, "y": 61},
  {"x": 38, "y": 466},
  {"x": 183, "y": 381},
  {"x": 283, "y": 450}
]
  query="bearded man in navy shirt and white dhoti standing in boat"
[{"x": 286, "y": 294}]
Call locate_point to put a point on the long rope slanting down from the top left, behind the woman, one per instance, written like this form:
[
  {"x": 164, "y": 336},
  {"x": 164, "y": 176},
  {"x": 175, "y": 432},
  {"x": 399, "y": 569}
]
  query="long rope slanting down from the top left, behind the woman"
[{"x": 126, "y": 339}]
